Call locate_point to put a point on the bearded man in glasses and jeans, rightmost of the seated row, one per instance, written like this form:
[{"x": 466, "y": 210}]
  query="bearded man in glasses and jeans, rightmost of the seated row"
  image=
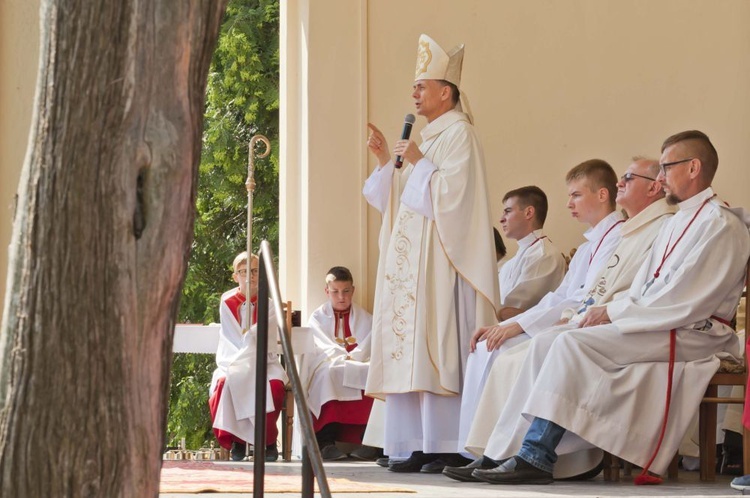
[{"x": 611, "y": 383}]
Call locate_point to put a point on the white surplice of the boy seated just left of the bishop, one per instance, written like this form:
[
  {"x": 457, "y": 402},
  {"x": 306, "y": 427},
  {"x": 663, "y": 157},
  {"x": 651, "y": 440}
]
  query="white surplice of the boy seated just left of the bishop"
[{"x": 323, "y": 371}]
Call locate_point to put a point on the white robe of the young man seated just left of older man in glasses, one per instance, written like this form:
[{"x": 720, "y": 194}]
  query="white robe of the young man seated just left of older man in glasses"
[{"x": 601, "y": 241}]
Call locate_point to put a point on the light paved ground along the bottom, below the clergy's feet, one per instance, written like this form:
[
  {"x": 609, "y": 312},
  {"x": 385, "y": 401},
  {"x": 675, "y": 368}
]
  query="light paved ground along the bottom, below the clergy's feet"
[{"x": 438, "y": 486}]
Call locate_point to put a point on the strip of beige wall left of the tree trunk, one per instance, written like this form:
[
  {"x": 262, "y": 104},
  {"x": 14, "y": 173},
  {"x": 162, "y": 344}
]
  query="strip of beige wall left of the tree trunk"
[{"x": 19, "y": 47}]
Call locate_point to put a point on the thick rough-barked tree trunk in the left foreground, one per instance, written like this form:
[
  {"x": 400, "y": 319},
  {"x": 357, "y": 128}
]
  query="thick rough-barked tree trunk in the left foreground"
[{"x": 100, "y": 243}]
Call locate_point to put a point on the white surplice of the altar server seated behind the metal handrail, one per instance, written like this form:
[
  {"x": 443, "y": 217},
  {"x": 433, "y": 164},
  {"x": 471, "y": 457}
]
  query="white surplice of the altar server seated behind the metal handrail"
[{"x": 236, "y": 359}]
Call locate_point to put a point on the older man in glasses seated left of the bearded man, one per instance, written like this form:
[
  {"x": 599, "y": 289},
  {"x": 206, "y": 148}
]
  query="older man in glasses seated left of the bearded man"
[{"x": 642, "y": 198}]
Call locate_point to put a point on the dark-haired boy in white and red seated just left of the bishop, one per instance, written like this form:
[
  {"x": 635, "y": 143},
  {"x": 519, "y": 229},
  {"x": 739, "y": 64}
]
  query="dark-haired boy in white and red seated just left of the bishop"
[{"x": 335, "y": 373}]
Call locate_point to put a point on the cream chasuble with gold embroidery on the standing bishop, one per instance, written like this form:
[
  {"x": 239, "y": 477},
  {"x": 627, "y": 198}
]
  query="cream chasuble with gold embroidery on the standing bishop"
[{"x": 416, "y": 342}]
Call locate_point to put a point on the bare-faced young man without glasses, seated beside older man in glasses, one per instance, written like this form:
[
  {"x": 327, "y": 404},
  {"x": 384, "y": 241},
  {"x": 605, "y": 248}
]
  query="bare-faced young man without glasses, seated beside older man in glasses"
[{"x": 592, "y": 190}]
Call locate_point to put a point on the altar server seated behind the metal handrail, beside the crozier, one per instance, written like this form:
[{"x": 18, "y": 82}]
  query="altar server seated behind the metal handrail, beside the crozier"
[{"x": 232, "y": 391}]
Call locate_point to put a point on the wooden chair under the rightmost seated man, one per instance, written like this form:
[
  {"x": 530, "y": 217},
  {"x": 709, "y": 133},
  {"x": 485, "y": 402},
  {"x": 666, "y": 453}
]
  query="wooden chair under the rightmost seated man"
[{"x": 729, "y": 374}]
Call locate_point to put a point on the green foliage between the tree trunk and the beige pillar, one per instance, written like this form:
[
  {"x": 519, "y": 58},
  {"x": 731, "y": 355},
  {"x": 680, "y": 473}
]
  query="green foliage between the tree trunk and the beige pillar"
[{"x": 242, "y": 100}]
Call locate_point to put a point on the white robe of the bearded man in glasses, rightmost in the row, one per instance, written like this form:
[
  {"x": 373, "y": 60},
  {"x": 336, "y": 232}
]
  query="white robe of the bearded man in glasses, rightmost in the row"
[{"x": 607, "y": 384}]
